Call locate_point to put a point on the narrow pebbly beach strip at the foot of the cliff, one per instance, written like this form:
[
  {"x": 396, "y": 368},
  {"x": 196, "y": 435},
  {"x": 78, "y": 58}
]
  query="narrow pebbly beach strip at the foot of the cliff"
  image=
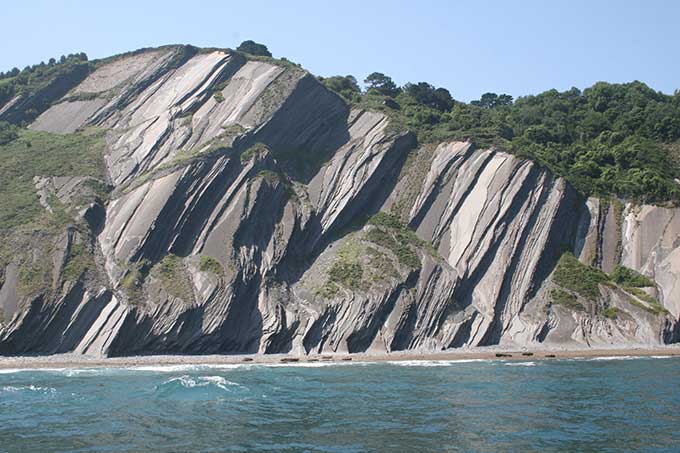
[{"x": 491, "y": 353}]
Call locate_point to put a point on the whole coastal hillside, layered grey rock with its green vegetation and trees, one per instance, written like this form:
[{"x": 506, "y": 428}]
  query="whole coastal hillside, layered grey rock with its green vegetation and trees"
[{"x": 185, "y": 200}]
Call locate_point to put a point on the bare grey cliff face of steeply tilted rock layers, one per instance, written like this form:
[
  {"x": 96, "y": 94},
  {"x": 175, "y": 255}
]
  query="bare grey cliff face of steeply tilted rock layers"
[{"x": 237, "y": 222}]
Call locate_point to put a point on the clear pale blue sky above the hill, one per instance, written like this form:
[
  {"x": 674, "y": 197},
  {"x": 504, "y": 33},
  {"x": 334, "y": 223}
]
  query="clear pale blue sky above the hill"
[{"x": 470, "y": 47}]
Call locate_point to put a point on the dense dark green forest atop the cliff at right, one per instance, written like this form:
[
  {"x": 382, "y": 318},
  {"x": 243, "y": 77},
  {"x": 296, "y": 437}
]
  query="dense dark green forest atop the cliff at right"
[{"x": 609, "y": 139}]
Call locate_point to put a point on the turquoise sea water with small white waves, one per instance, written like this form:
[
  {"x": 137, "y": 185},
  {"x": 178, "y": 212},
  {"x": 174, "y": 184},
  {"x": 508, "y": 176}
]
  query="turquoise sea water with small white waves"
[{"x": 615, "y": 404}]
